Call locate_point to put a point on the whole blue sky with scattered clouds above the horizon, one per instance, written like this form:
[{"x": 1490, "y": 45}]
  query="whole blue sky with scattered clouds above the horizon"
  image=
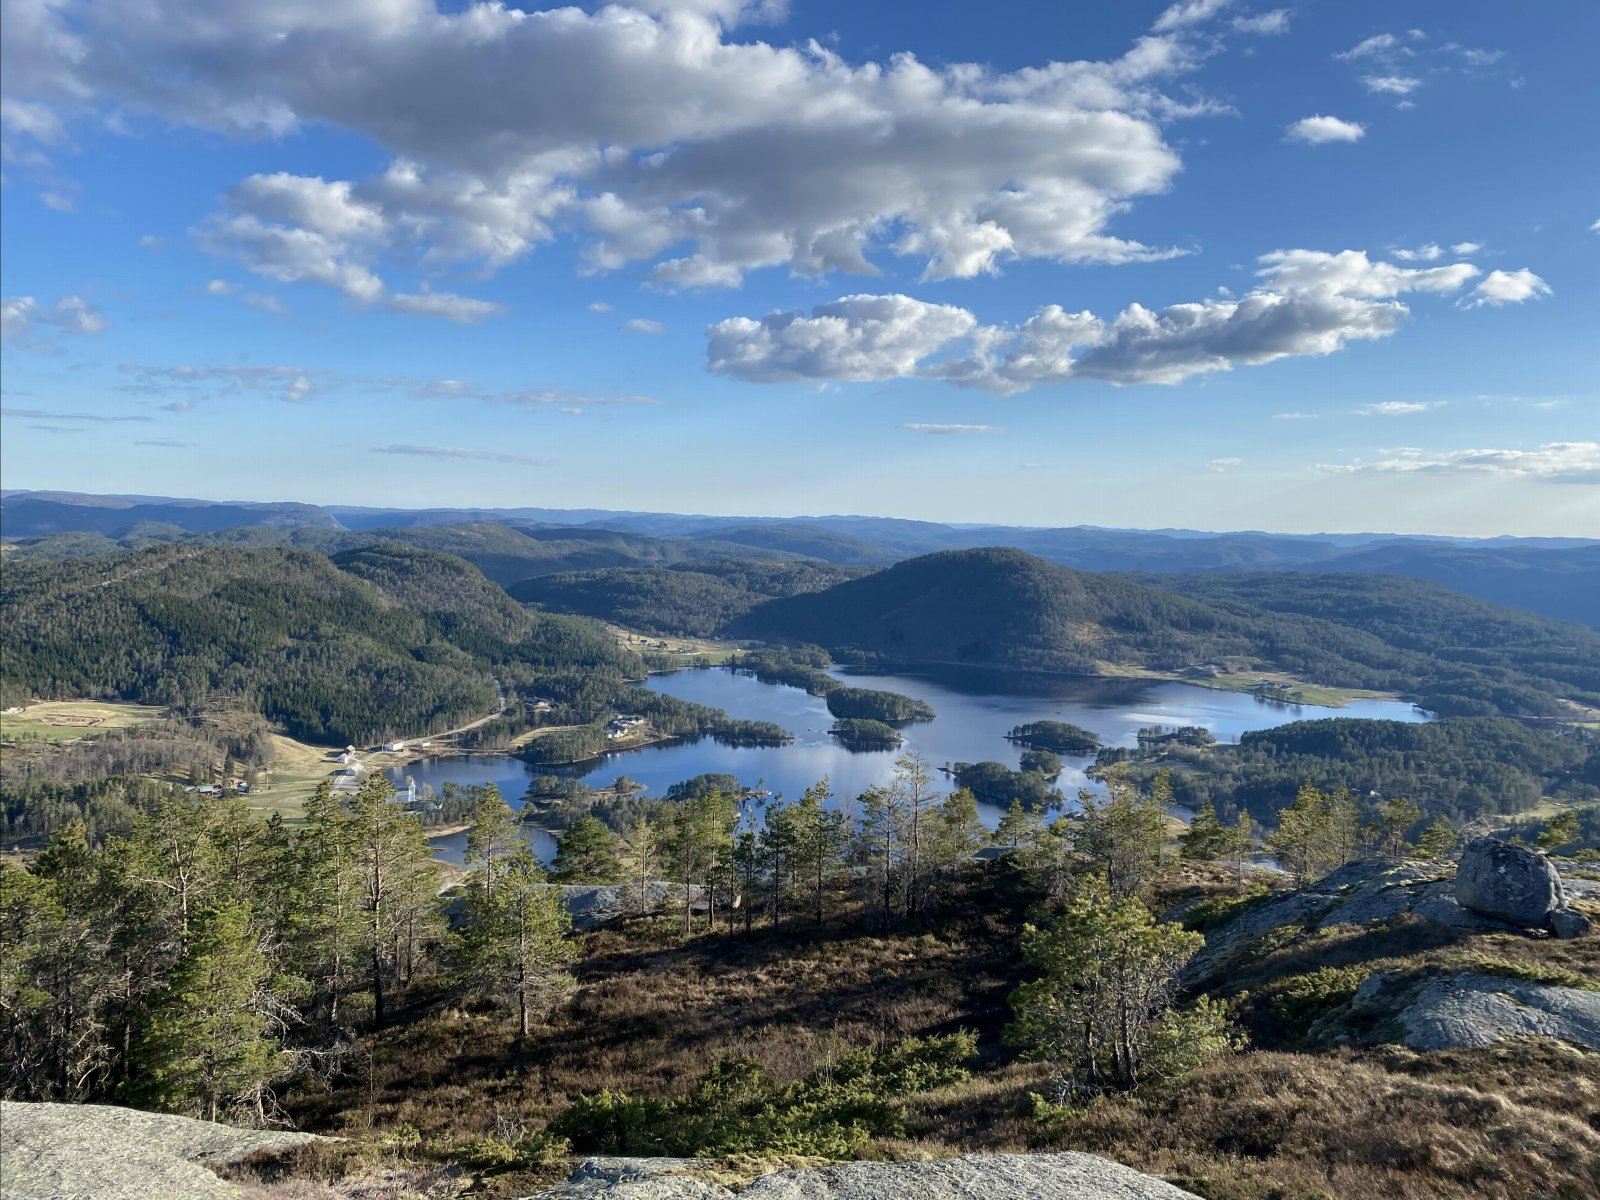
[{"x": 1321, "y": 266}]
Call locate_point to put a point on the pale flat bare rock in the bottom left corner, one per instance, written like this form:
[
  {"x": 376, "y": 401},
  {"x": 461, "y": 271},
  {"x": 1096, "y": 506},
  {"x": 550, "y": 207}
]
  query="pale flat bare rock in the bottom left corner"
[{"x": 103, "y": 1153}]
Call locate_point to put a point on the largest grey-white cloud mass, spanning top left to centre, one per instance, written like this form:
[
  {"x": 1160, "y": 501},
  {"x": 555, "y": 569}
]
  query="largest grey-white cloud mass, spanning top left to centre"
[{"x": 708, "y": 154}]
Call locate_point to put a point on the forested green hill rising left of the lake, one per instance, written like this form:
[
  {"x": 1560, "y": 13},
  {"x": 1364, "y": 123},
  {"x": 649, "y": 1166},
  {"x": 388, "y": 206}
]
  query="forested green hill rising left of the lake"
[{"x": 326, "y": 652}]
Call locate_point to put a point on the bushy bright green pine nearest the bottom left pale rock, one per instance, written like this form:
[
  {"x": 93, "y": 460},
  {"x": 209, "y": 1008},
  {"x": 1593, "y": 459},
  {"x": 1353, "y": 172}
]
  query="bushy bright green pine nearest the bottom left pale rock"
[{"x": 209, "y": 1044}]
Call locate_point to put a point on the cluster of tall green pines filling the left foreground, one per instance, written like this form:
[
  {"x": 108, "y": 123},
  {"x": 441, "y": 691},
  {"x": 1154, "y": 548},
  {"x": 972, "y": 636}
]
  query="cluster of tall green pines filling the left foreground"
[{"x": 206, "y": 956}]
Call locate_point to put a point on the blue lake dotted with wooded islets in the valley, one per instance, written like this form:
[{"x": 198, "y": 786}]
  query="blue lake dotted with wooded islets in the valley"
[{"x": 975, "y": 713}]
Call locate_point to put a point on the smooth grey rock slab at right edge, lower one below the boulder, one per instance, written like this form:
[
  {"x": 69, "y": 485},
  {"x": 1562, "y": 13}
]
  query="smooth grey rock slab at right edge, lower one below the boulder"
[{"x": 1465, "y": 1010}]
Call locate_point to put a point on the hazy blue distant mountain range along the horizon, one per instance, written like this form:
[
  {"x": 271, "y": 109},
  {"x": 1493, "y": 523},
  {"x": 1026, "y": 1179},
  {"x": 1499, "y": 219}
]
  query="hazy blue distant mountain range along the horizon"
[{"x": 1554, "y": 577}]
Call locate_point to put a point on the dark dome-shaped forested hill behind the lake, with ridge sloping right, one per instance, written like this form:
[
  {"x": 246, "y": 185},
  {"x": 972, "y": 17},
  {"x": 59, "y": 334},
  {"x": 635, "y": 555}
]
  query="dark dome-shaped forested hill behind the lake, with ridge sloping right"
[{"x": 1006, "y": 609}]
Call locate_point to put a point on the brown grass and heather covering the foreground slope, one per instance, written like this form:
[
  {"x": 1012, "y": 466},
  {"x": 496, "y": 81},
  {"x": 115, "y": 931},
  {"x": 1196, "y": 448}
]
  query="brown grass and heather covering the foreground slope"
[{"x": 652, "y": 1015}]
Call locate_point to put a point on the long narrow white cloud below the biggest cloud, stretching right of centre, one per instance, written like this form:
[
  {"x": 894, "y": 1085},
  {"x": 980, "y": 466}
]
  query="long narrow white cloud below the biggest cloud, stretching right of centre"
[{"x": 1305, "y": 303}]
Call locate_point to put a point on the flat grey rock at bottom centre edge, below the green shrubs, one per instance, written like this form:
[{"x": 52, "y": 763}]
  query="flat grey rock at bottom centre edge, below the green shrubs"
[{"x": 974, "y": 1177}]
